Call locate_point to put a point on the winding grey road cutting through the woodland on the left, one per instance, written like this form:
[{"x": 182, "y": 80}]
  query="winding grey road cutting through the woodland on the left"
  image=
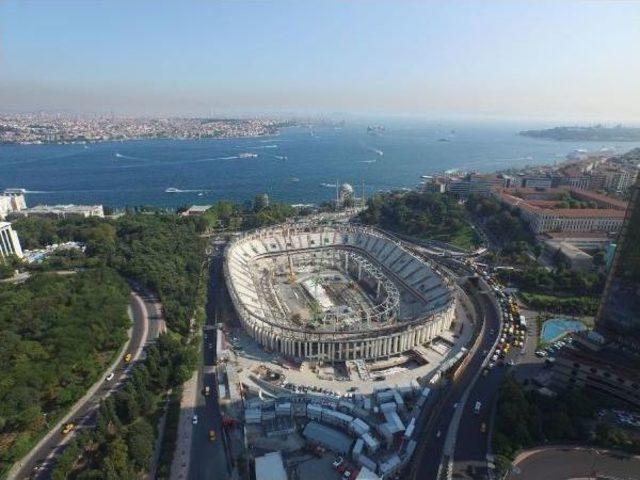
[{"x": 143, "y": 309}]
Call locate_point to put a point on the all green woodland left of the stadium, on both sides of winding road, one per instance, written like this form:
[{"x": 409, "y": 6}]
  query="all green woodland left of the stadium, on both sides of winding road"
[{"x": 58, "y": 332}]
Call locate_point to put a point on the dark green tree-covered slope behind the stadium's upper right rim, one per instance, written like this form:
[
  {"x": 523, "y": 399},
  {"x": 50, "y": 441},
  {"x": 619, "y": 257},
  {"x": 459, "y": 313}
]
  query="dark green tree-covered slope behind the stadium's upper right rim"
[{"x": 431, "y": 215}]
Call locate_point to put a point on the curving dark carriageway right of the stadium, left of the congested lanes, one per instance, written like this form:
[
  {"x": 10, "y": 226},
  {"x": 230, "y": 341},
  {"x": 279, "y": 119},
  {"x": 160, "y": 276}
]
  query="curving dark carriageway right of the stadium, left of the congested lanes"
[{"x": 429, "y": 454}]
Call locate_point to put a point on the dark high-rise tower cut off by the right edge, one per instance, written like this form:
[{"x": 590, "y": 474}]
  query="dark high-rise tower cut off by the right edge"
[{"x": 619, "y": 313}]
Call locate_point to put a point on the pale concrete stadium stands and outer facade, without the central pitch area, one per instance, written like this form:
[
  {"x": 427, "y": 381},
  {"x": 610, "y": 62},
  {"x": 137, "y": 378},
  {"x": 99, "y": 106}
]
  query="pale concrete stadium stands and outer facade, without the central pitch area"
[{"x": 390, "y": 264}]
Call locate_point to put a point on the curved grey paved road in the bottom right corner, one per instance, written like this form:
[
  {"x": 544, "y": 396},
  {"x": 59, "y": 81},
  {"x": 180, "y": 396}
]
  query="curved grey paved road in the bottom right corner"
[{"x": 562, "y": 463}]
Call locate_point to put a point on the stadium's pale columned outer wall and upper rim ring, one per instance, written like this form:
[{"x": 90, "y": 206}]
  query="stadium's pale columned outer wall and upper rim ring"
[{"x": 295, "y": 342}]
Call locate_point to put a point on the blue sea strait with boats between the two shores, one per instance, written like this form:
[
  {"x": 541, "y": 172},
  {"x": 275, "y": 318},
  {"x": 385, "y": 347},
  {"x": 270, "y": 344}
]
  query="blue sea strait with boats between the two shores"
[{"x": 300, "y": 165}]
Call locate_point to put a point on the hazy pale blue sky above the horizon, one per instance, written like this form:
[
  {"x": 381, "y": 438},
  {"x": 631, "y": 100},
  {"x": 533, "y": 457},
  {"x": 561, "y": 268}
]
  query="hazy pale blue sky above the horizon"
[{"x": 555, "y": 59}]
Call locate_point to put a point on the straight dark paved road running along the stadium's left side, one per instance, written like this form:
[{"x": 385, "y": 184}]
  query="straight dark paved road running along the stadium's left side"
[{"x": 208, "y": 459}]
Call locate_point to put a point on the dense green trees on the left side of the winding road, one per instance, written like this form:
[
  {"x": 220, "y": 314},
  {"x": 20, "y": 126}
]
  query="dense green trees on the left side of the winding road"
[{"x": 57, "y": 335}]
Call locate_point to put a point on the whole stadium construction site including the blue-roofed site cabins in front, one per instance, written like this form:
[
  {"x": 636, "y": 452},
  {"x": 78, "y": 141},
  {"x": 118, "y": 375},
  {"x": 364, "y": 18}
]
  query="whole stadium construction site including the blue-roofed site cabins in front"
[{"x": 340, "y": 330}]
